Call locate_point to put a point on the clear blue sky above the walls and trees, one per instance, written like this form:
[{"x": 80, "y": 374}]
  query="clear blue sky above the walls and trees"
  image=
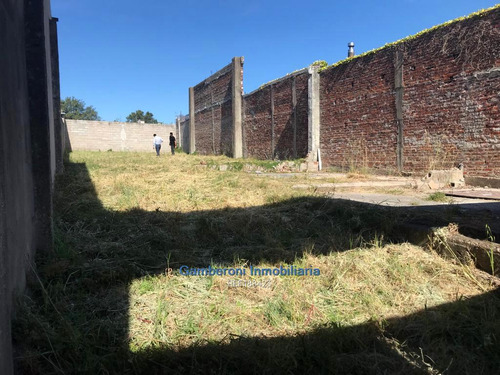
[{"x": 124, "y": 55}]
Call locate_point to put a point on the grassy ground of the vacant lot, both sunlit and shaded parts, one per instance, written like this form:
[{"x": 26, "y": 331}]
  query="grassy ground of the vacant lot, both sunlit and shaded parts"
[{"x": 111, "y": 298}]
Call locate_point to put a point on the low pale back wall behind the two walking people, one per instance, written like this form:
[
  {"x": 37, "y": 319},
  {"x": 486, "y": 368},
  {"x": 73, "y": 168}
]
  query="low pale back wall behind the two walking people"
[{"x": 116, "y": 136}]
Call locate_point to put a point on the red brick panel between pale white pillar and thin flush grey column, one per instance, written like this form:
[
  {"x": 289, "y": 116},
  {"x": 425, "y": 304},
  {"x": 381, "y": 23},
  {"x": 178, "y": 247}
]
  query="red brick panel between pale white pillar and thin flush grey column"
[{"x": 358, "y": 113}]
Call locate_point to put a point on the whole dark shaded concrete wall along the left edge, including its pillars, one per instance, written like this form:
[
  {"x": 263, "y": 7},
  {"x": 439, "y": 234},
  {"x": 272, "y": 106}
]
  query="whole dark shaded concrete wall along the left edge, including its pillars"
[{"x": 27, "y": 144}]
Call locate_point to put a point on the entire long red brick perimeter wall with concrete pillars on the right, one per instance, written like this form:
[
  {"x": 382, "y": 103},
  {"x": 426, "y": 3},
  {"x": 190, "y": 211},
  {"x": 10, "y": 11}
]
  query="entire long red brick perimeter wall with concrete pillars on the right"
[{"x": 430, "y": 101}]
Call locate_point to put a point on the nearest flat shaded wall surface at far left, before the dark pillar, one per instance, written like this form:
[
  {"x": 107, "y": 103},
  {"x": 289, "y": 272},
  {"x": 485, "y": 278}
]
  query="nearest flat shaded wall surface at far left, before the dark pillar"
[{"x": 16, "y": 182}]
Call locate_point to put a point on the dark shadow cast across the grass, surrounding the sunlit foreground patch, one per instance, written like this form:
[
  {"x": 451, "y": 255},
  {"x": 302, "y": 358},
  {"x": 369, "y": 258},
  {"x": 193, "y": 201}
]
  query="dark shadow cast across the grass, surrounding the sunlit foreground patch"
[{"x": 78, "y": 321}]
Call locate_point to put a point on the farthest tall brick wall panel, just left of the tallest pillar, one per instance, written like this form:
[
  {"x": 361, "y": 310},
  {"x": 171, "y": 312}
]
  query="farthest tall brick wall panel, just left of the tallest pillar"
[{"x": 213, "y": 113}]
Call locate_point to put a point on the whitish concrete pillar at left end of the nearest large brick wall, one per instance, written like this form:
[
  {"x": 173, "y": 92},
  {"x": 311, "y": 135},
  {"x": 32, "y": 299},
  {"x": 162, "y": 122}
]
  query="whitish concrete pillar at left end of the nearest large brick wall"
[{"x": 314, "y": 113}]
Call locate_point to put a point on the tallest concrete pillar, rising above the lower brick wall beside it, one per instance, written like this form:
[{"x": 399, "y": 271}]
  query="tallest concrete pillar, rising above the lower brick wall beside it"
[{"x": 237, "y": 93}]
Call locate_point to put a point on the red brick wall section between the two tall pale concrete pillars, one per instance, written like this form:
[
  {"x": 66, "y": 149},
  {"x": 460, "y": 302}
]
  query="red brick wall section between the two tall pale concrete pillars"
[{"x": 257, "y": 119}]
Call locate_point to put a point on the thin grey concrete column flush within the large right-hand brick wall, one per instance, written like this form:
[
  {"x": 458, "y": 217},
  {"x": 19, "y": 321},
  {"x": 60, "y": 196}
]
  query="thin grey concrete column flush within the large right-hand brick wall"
[{"x": 399, "y": 89}]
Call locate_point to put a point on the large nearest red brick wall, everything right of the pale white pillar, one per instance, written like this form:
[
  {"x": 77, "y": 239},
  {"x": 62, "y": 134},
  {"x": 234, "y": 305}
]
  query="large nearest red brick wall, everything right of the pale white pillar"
[{"x": 450, "y": 109}]
